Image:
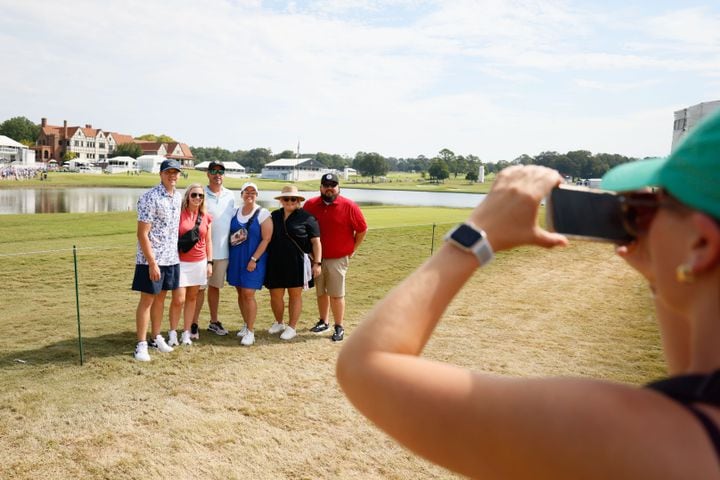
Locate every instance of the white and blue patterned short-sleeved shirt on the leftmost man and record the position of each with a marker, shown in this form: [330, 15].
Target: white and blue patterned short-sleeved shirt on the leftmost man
[162, 211]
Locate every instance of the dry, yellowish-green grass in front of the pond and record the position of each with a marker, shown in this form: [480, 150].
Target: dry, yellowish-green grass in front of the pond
[220, 411]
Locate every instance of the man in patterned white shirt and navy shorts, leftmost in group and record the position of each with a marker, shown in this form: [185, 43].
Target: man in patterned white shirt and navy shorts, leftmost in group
[157, 264]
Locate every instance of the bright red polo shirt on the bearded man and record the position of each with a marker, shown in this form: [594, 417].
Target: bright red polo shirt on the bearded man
[339, 223]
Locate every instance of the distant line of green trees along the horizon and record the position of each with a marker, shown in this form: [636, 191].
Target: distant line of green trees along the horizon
[575, 164]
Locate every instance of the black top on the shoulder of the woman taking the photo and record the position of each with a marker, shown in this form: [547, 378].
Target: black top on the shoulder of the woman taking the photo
[690, 389]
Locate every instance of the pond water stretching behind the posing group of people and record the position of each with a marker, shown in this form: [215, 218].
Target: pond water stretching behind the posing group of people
[85, 200]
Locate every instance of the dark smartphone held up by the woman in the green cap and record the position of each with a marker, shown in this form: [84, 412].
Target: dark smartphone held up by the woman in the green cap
[587, 214]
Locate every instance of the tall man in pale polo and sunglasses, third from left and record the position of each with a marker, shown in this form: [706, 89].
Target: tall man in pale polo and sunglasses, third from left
[220, 203]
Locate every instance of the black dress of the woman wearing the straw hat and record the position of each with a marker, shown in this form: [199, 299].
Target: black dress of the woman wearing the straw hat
[285, 260]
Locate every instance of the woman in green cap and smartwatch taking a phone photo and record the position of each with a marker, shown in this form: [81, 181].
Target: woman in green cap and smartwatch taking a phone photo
[488, 426]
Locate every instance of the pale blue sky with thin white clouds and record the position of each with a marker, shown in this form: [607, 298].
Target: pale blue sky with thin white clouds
[492, 78]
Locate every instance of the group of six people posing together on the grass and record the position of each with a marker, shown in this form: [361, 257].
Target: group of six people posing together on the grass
[192, 245]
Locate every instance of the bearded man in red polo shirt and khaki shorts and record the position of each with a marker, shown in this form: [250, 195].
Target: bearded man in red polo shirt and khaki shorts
[342, 230]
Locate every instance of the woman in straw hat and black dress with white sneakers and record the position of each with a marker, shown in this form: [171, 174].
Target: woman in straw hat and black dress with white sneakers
[295, 257]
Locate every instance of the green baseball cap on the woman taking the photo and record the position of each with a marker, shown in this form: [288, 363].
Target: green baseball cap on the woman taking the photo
[691, 173]
